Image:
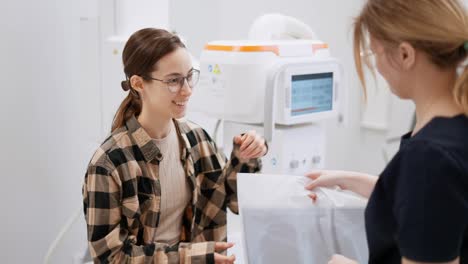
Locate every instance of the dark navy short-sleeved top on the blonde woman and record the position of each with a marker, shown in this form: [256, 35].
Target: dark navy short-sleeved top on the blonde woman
[419, 207]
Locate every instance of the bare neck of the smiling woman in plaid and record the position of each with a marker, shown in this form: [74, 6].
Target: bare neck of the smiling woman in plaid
[156, 127]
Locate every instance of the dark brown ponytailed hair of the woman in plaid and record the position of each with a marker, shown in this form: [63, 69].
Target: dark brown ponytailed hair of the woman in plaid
[142, 51]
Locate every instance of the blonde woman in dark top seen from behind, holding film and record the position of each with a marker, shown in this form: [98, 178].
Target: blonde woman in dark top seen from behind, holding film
[418, 207]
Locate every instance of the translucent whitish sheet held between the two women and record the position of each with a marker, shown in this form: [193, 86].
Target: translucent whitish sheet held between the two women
[281, 224]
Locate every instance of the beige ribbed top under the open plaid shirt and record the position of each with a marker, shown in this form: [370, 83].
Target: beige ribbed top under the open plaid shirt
[175, 192]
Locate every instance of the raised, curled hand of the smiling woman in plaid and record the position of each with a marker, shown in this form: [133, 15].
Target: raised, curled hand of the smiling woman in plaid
[252, 146]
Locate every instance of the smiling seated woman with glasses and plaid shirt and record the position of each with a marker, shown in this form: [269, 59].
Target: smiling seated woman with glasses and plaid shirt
[157, 189]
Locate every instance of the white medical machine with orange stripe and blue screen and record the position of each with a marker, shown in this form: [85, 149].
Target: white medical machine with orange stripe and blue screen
[280, 88]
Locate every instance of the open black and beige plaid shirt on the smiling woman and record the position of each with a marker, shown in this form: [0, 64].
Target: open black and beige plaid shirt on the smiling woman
[122, 195]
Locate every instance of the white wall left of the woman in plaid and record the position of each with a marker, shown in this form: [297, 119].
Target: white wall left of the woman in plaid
[44, 120]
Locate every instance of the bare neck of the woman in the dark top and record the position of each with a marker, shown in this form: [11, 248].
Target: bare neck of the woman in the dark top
[433, 97]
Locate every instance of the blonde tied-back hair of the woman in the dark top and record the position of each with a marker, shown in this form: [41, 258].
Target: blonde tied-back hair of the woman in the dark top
[437, 27]
